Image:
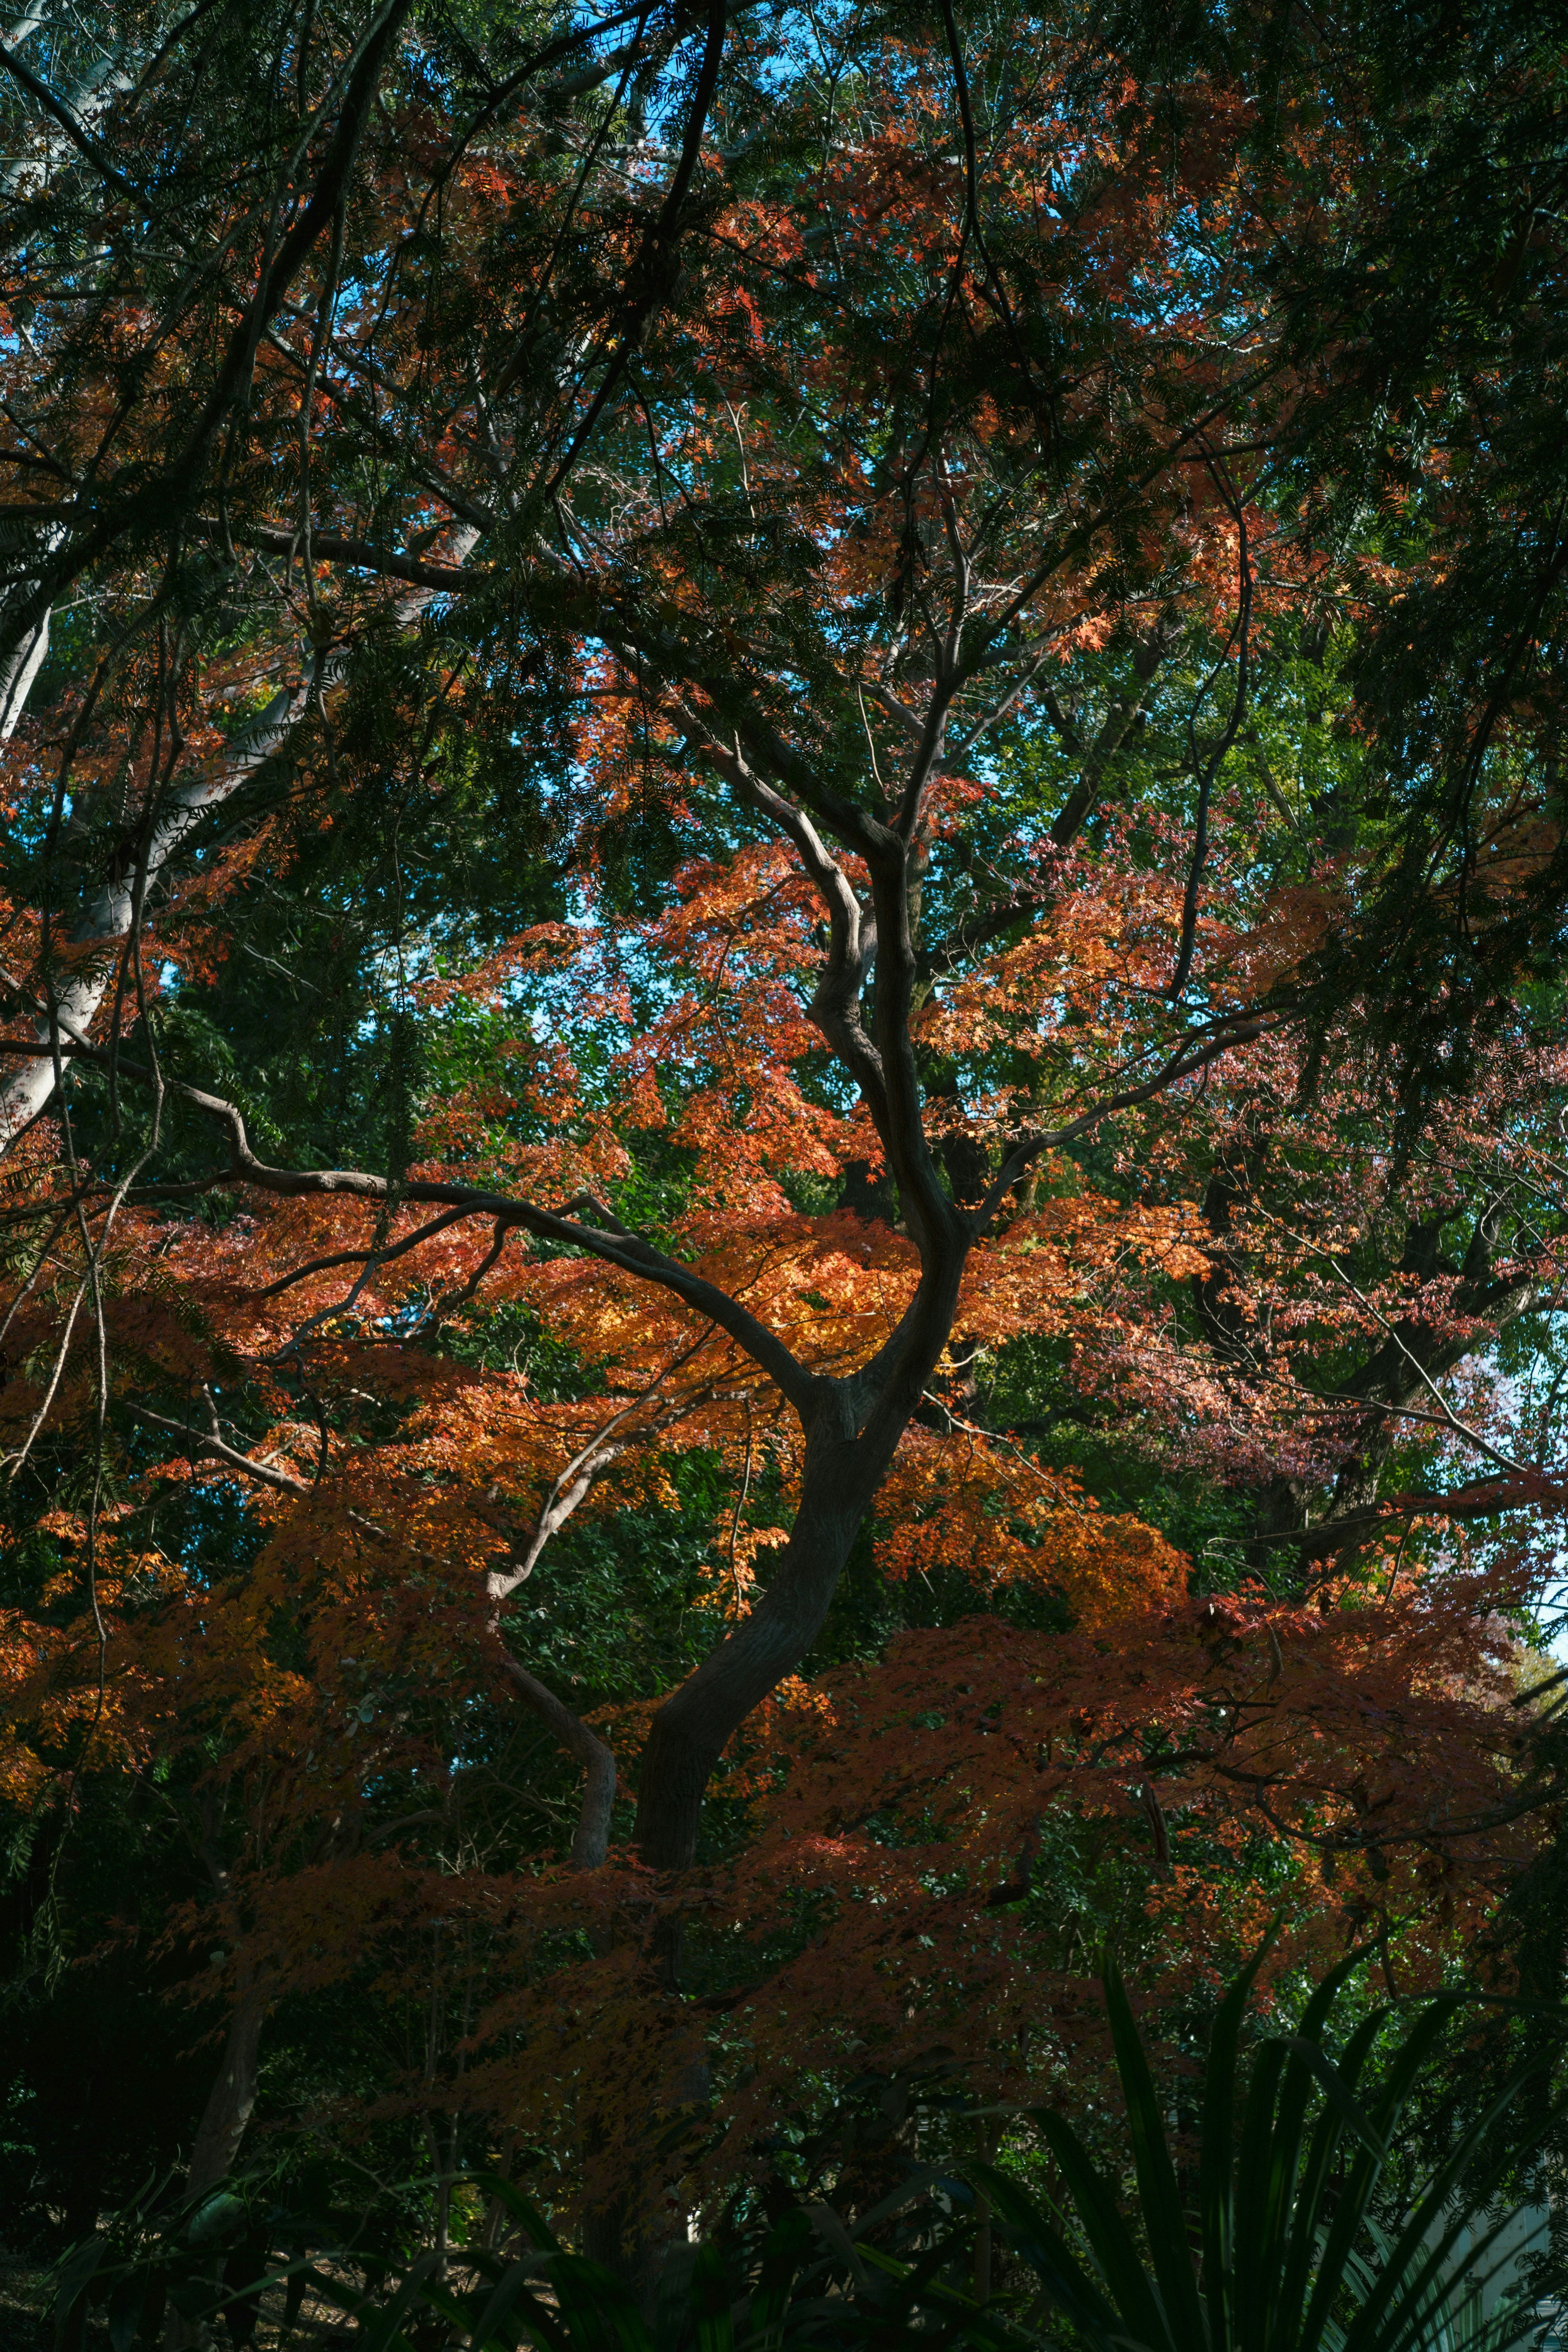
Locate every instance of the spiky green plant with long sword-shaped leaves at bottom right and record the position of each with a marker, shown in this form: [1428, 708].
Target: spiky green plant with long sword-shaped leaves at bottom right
[1287, 2224]
